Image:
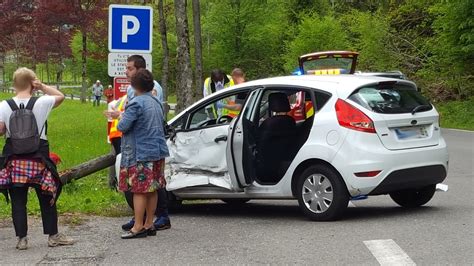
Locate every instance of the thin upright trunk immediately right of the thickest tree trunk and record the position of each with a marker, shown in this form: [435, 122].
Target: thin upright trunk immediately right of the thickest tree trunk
[197, 48]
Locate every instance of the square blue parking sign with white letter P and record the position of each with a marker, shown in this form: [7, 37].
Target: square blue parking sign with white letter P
[130, 28]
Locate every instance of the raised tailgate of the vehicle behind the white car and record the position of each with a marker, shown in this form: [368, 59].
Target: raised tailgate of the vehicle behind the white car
[328, 63]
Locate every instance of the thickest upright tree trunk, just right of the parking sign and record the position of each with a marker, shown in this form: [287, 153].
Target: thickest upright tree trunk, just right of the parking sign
[184, 75]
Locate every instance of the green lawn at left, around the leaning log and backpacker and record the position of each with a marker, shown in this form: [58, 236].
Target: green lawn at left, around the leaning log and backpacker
[77, 133]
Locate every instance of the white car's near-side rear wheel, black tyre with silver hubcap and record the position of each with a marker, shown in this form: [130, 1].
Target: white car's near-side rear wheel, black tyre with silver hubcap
[322, 195]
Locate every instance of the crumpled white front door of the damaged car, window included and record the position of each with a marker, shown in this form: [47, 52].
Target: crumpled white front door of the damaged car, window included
[198, 149]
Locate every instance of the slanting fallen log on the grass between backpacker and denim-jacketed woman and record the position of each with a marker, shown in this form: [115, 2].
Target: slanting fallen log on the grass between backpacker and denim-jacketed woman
[87, 168]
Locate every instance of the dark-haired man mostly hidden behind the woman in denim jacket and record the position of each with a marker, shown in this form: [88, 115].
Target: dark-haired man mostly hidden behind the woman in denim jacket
[134, 63]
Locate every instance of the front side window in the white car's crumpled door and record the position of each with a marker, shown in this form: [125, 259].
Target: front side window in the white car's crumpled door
[219, 111]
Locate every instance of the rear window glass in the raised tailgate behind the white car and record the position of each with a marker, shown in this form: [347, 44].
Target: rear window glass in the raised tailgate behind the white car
[328, 63]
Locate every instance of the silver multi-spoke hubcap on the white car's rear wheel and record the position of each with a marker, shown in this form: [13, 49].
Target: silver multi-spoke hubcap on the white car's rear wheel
[317, 193]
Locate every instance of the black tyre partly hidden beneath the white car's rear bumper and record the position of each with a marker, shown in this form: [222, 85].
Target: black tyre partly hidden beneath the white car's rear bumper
[412, 198]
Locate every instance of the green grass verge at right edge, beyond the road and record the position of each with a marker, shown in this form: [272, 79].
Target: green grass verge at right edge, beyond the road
[457, 114]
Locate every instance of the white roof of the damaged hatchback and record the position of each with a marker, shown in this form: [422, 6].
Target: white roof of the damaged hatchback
[341, 85]
